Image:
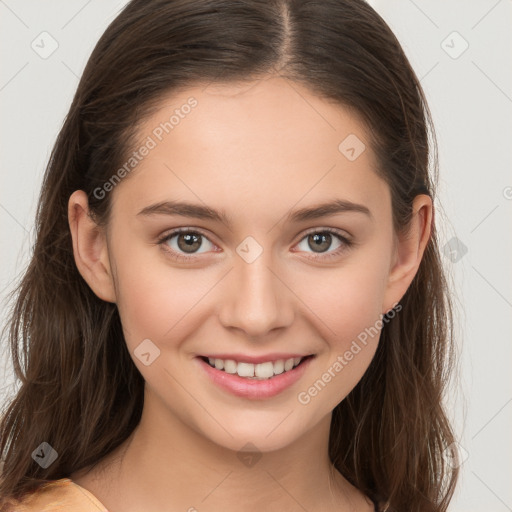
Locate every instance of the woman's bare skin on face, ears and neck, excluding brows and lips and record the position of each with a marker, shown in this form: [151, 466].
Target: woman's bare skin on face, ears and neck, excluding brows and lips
[259, 152]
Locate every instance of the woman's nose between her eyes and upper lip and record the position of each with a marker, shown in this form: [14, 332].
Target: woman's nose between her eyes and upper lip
[257, 300]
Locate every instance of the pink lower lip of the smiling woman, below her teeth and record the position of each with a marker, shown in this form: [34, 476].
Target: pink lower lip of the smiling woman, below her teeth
[253, 388]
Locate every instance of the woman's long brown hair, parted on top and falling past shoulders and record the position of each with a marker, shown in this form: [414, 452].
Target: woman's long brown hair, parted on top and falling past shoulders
[80, 390]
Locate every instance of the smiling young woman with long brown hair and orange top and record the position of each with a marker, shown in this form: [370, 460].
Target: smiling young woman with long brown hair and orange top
[236, 237]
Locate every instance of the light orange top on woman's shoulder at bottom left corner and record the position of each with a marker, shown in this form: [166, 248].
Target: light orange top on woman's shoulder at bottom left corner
[61, 495]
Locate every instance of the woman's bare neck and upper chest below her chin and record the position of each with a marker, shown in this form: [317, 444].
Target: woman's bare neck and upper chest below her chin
[166, 464]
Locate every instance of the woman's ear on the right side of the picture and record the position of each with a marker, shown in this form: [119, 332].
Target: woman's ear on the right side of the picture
[409, 249]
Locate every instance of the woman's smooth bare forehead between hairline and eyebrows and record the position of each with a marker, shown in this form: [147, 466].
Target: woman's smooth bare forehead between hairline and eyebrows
[258, 146]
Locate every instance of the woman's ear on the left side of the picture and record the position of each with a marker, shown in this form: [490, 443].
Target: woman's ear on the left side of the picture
[90, 247]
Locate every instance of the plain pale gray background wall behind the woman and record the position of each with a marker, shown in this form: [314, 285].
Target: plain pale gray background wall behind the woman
[470, 94]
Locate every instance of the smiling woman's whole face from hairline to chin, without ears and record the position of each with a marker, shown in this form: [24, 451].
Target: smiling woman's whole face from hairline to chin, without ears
[259, 272]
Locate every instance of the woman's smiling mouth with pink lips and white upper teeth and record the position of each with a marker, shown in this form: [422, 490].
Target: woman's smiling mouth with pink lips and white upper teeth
[255, 381]
